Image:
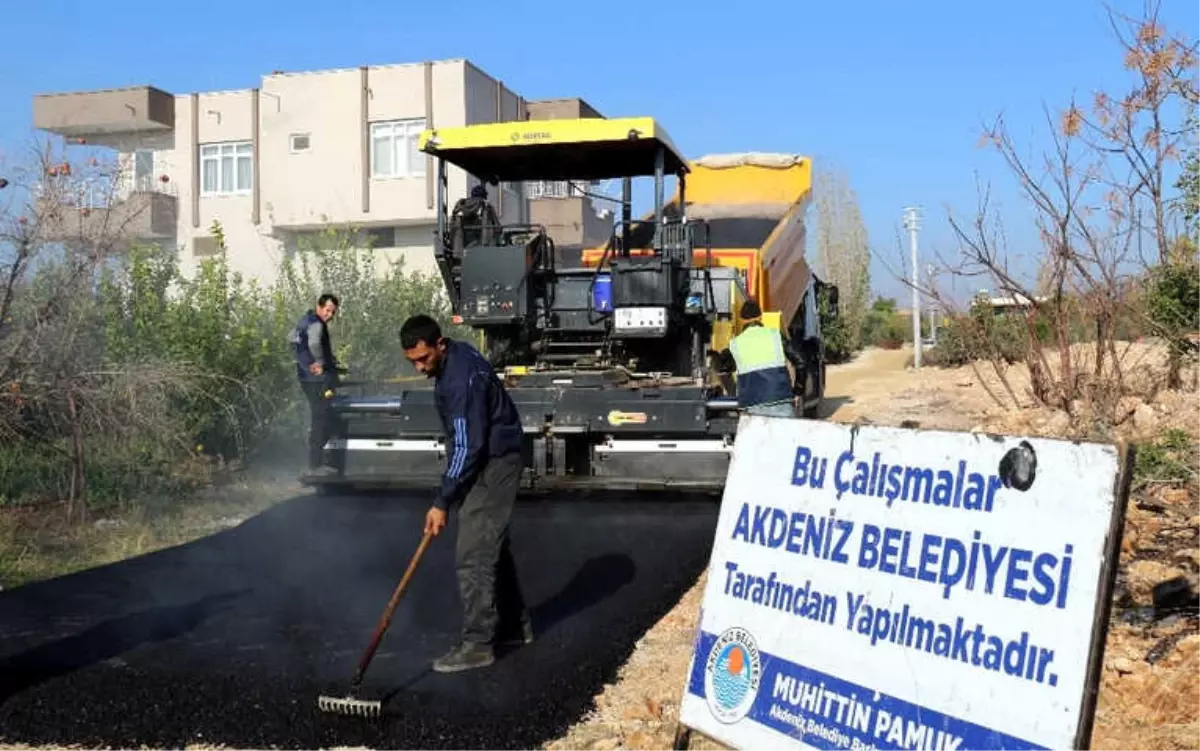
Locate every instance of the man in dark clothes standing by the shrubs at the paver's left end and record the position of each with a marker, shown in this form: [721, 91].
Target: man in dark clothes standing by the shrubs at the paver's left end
[317, 371]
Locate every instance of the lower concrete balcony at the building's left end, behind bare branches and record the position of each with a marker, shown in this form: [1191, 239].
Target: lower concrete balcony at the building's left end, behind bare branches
[143, 215]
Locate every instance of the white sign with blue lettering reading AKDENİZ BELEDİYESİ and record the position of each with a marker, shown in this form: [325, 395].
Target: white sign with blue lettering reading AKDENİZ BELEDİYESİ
[879, 588]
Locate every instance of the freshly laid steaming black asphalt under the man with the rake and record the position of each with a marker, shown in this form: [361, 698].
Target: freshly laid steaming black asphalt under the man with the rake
[230, 640]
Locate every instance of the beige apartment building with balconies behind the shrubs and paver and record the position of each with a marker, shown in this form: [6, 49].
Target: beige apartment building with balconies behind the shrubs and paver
[297, 154]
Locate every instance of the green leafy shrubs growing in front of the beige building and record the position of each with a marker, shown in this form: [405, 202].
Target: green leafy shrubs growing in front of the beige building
[187, 376]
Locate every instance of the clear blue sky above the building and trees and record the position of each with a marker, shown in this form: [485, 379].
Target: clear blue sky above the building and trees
[893, 97]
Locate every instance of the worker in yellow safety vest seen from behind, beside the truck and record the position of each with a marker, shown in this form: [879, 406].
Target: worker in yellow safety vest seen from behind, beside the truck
[761, 357]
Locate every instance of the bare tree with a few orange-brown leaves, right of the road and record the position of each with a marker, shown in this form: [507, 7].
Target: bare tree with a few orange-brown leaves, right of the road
[1105, 171]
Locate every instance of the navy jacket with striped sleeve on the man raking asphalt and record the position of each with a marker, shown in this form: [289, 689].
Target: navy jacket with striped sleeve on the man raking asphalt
[479, 418]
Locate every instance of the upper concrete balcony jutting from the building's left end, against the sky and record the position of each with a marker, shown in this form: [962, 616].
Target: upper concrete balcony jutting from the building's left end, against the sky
[104, 115]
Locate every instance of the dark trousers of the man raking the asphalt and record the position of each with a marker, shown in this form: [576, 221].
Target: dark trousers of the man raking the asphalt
[494, 606]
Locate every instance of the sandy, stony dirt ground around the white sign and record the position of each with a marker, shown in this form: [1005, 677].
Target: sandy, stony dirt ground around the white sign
[1150, 699]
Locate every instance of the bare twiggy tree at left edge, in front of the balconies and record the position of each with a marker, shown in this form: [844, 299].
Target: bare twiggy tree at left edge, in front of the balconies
[62, 224]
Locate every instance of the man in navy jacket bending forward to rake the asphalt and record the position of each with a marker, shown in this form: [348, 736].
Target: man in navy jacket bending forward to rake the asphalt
[483, 476]
